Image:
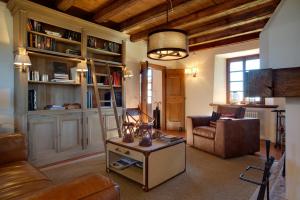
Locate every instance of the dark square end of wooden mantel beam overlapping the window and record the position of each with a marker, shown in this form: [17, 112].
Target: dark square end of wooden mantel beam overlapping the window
[258, 83]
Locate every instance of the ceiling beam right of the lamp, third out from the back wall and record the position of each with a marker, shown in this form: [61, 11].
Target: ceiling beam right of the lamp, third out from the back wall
[236, 19]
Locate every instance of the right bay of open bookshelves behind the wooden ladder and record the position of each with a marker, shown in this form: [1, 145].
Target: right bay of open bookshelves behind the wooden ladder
[105, 53]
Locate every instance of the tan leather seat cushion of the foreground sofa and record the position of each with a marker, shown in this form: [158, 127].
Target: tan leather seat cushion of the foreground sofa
[19, 178]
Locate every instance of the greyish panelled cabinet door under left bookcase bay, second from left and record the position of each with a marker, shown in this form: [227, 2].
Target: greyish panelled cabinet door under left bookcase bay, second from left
[70, 135]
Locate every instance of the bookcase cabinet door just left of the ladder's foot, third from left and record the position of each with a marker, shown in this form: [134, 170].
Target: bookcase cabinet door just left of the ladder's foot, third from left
[94, 134]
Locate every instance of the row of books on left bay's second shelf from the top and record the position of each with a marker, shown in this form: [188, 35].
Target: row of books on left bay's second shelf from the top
[41, 42]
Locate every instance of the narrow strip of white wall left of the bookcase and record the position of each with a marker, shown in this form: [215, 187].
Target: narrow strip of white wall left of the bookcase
[6, 70]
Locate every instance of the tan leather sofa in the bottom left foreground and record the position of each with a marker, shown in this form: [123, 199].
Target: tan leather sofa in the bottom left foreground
[20, 180]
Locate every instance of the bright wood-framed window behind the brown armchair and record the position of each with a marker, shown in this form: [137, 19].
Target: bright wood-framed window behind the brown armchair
[236, 67]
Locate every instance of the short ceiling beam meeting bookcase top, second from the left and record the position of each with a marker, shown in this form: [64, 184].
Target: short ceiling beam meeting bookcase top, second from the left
[103, 14]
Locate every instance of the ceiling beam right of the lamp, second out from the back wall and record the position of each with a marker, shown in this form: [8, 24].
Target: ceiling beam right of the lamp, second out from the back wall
[229, 33]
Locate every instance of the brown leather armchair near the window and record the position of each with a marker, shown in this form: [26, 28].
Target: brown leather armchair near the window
[231, 137]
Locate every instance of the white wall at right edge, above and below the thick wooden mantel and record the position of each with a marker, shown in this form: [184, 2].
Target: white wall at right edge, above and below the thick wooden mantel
[280, 48]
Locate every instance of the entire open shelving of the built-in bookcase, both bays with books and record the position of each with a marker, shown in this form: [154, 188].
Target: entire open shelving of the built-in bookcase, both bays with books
[52, 78]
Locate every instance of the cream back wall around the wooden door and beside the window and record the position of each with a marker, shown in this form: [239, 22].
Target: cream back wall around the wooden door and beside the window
[200, 91]
